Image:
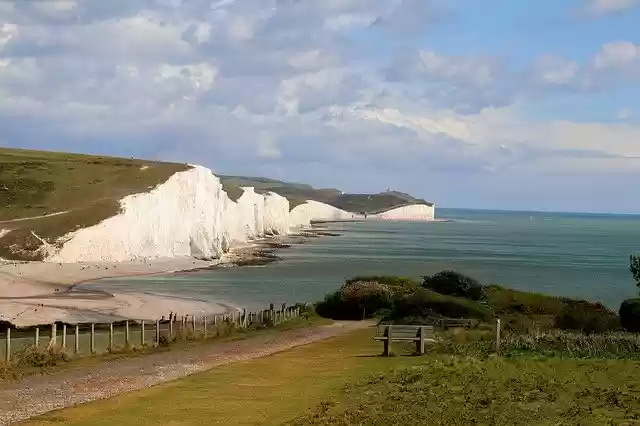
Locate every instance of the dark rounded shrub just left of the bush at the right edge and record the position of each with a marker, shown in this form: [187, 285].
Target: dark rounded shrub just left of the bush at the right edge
[587, 317]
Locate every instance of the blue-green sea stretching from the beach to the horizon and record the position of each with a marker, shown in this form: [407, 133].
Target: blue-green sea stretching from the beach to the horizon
[566, 254]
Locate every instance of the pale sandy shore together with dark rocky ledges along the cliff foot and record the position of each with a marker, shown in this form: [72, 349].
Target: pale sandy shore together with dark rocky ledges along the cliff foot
[38, 293]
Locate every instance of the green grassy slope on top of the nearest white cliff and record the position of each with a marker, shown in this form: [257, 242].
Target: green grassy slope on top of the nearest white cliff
[36, 183]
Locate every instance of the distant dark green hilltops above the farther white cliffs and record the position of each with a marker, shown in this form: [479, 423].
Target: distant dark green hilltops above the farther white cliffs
[298, 193]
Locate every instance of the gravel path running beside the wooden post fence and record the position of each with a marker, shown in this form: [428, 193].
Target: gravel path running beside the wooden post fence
[36, 395]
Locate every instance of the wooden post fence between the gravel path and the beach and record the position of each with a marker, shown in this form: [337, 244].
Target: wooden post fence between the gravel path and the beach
[96, 338]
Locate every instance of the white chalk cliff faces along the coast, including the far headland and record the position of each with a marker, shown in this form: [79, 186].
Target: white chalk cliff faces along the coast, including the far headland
[191, 215]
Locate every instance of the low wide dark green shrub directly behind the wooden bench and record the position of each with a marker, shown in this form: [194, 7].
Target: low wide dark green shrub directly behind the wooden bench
[427, 303]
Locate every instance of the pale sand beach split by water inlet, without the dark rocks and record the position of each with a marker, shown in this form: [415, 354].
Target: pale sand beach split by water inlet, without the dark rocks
[40, 293]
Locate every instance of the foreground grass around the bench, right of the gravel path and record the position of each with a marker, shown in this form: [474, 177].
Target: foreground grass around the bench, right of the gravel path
[342, 381]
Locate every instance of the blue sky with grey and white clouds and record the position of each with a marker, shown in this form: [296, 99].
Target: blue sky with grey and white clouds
[495, 104]
